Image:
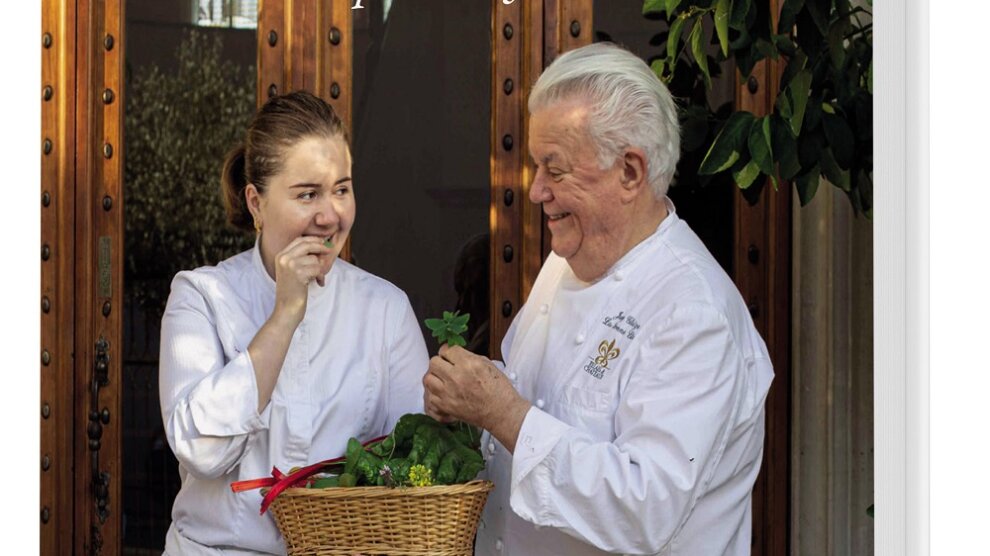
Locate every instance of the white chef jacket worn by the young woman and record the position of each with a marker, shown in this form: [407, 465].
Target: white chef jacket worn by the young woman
[354, 366]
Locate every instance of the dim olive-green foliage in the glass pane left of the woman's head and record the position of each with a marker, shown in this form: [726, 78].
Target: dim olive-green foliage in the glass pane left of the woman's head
[179, 125]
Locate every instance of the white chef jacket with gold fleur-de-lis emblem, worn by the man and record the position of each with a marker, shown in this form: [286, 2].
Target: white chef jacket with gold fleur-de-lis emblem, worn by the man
[646, 433]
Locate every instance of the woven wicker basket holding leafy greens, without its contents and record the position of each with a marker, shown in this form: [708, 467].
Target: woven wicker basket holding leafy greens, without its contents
[434, 520]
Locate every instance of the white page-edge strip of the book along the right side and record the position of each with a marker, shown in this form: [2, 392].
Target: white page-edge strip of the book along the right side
[901, 279]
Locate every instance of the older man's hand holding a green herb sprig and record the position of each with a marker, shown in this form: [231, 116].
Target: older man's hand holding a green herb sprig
[462, 386]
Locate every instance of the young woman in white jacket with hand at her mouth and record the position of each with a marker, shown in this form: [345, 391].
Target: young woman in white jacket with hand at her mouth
[277, 355]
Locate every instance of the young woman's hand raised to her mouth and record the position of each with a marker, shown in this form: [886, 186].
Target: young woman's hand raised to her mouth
[305, 259]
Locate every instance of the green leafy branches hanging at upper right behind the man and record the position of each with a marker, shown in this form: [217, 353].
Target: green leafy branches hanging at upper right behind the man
[821, 125]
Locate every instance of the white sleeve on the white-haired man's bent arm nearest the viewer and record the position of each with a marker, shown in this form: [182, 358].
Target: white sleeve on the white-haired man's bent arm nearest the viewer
[672, 422]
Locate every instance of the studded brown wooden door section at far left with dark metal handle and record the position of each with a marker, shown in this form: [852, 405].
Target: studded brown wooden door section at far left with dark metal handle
[81, 276]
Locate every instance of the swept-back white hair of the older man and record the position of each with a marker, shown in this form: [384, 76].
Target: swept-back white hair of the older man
[630, 106]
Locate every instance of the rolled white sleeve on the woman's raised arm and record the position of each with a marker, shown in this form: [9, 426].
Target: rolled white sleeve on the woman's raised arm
[209, 404]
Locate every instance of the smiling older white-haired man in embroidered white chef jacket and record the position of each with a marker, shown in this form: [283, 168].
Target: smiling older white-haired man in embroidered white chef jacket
[628, 416]
